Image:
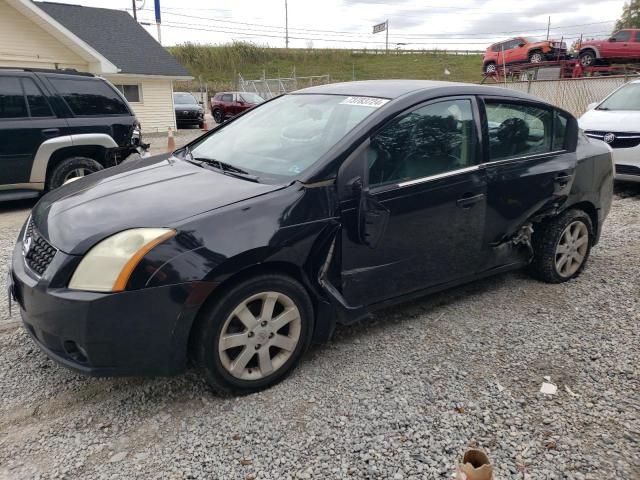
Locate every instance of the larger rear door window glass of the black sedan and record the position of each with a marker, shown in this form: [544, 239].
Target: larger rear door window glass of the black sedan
[518, 130]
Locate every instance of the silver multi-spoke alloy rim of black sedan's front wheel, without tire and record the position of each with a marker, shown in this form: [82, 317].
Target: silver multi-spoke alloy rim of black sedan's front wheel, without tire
[259, 336]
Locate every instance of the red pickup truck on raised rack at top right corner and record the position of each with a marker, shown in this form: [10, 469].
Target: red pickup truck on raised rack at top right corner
[622, 46]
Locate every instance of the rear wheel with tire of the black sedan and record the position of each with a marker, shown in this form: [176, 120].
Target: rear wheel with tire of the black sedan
[561, 246]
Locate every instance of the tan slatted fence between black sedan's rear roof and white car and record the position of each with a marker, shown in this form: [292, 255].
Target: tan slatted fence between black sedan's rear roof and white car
[573, 95]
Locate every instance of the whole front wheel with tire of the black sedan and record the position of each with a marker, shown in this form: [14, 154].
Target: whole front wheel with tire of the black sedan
[254, 335]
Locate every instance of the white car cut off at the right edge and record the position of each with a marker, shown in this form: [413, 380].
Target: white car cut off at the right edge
[616, 121]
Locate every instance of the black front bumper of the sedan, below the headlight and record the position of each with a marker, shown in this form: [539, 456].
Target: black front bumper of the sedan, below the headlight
[141, 332]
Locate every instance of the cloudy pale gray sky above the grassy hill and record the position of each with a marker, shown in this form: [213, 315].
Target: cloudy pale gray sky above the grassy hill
[454, 24]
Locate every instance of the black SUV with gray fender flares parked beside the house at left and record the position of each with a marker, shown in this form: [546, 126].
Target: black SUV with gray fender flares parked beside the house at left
[58, 125]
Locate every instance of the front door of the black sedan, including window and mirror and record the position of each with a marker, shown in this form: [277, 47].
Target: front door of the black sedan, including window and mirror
[413, 204]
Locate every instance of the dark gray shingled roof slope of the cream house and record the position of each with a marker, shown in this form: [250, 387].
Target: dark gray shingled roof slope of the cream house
[118, 37]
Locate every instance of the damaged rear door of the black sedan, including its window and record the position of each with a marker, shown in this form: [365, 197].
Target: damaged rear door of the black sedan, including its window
[529, 166]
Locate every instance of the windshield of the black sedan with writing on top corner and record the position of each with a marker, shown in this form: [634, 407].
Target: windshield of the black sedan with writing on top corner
[282, 138]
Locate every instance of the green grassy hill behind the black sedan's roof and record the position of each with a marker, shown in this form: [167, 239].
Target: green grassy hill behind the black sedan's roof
[220, 65]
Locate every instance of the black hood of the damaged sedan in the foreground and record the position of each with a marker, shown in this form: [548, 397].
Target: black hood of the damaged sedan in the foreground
[150, 192]
